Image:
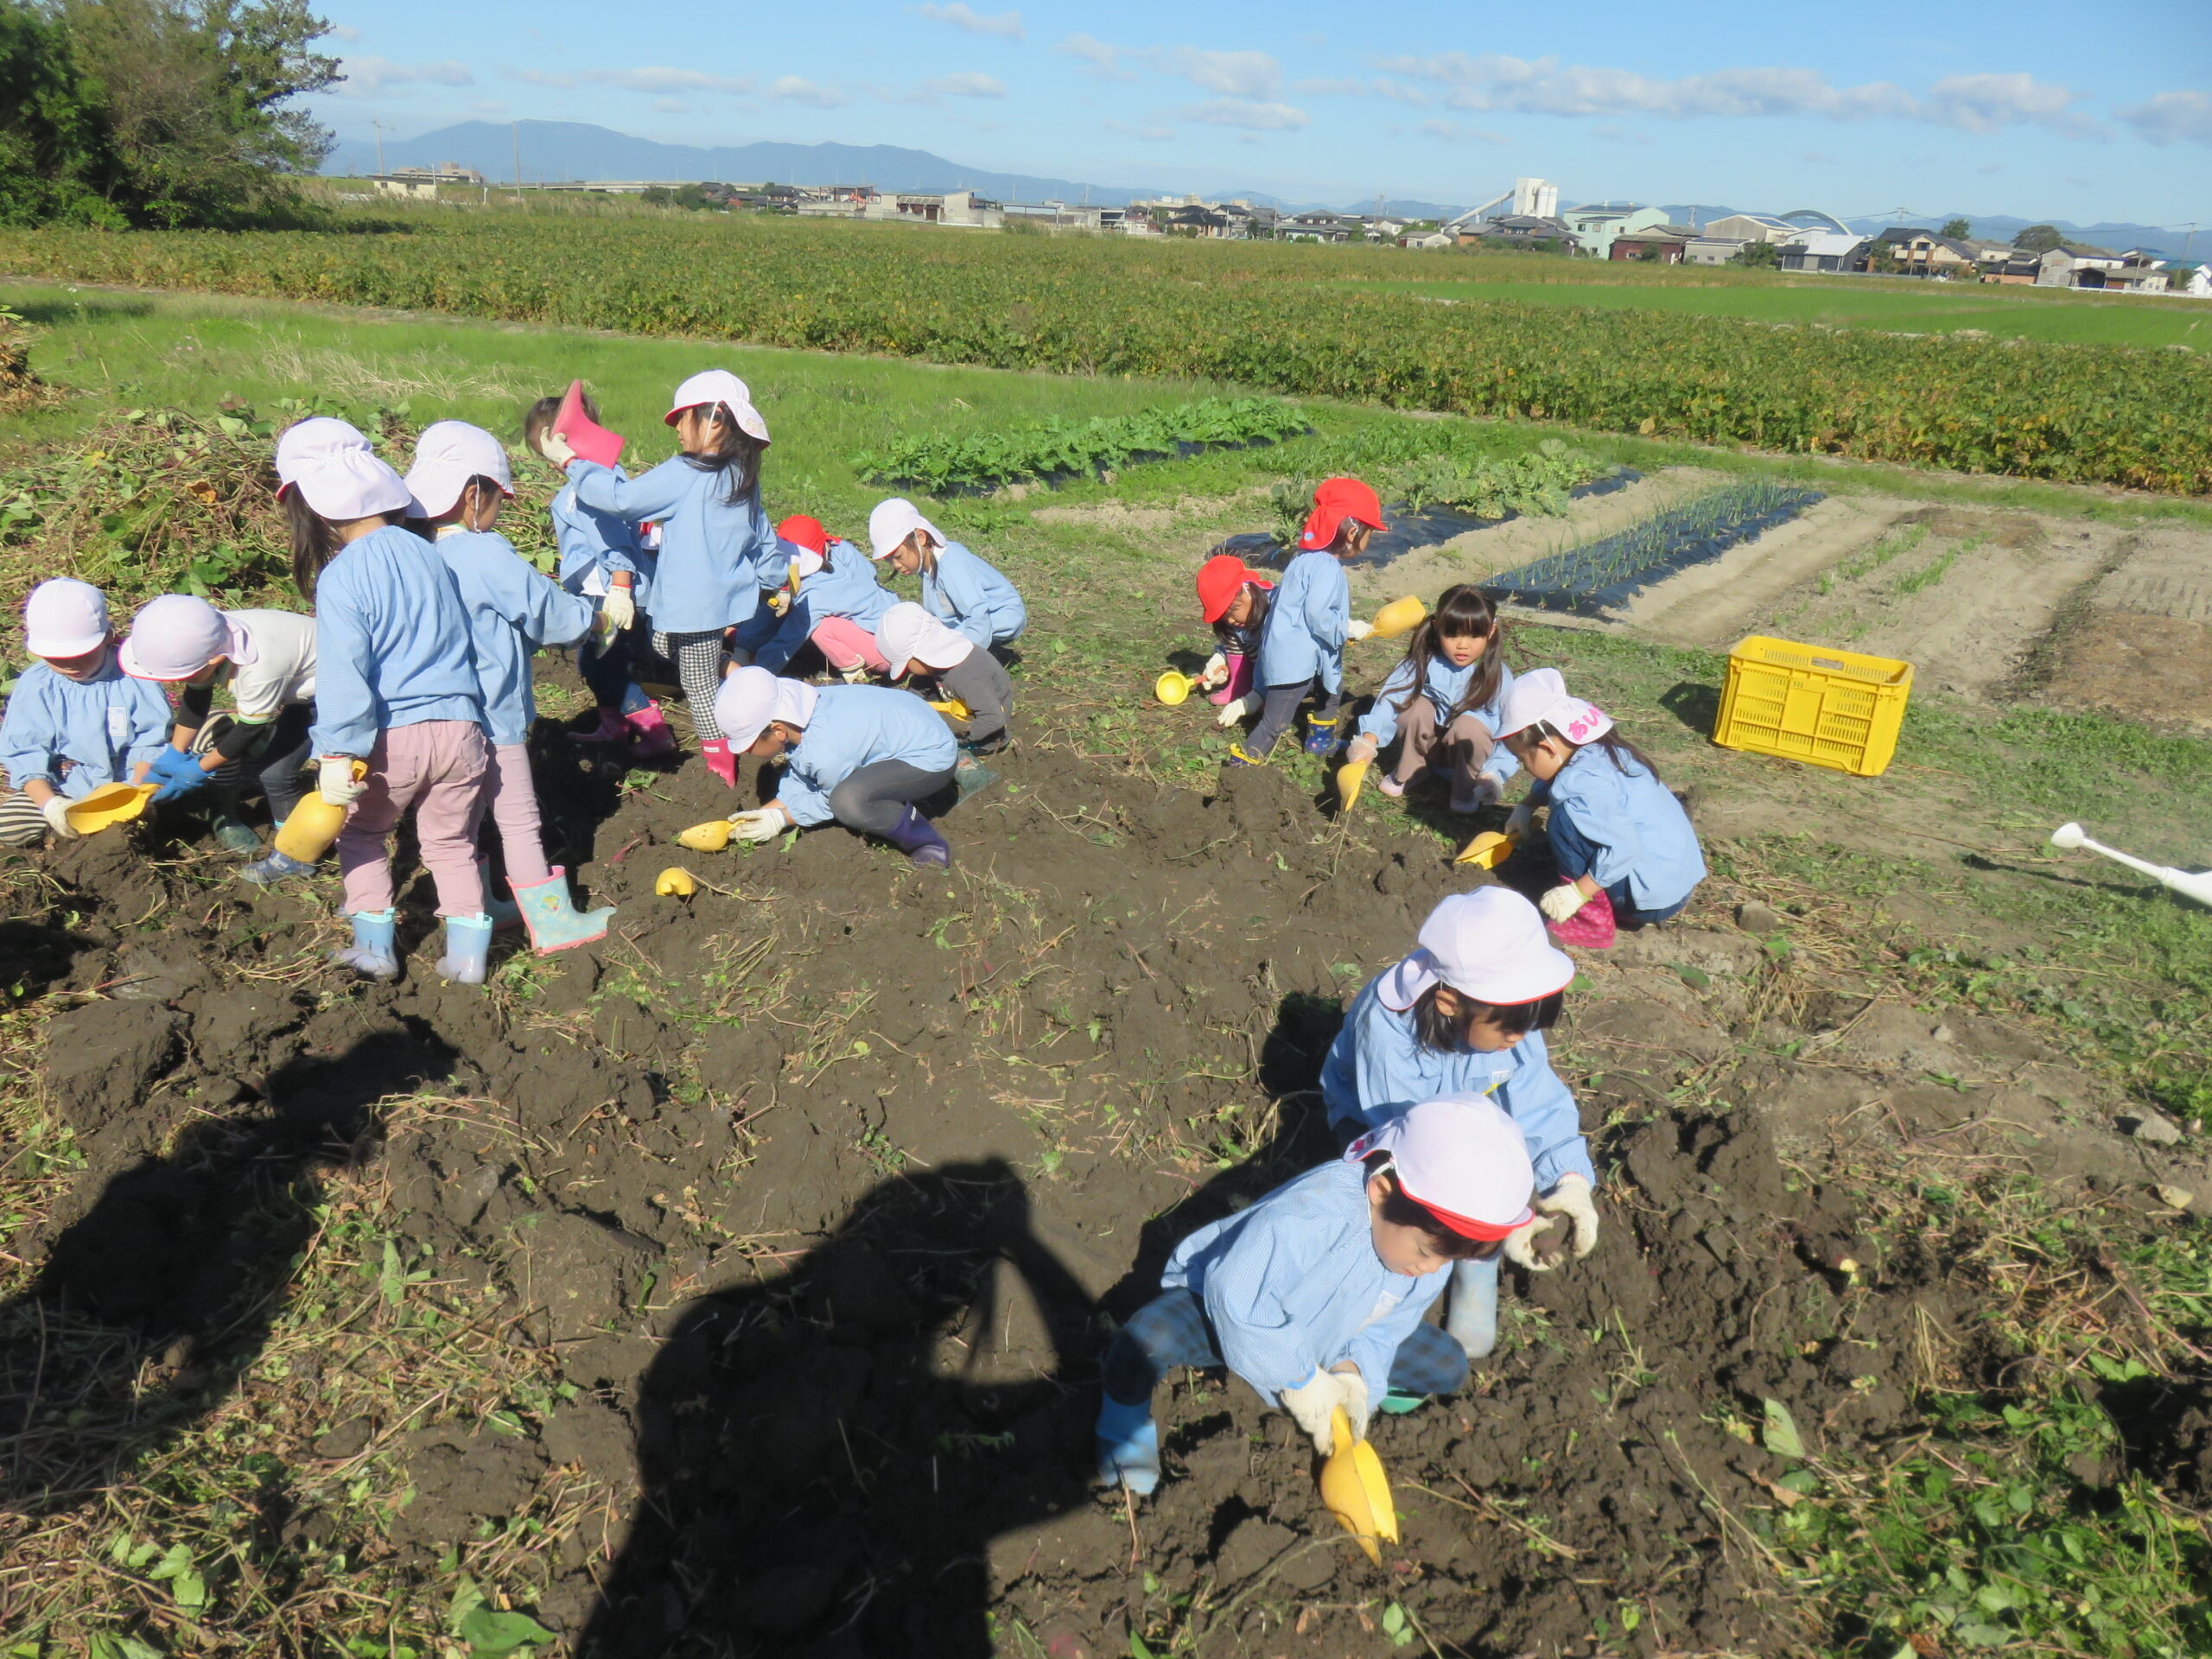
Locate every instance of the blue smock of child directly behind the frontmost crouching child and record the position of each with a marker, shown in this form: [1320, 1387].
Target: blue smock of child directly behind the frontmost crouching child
[1379, 1070]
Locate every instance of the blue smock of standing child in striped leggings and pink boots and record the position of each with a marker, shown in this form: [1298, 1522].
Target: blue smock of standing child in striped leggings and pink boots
[716, 556]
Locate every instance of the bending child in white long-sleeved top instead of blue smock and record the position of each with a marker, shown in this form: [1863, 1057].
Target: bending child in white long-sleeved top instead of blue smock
[269, 662]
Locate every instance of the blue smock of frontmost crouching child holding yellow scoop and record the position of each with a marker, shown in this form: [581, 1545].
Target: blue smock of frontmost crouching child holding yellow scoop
[1293, 1284]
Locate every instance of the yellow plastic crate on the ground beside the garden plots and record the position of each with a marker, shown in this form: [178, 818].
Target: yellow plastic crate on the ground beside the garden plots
[1813, 705]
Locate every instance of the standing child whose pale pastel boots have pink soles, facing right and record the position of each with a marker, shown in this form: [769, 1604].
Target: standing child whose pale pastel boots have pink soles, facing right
[461, 479]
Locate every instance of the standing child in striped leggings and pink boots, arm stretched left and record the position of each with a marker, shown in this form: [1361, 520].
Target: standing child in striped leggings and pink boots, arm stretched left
[718, 550]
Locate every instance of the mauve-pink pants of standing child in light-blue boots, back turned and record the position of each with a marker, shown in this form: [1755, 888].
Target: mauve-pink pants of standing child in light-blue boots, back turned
[439, 771]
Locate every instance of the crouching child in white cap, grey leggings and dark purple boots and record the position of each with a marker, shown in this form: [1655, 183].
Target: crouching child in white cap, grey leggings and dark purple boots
[859, 755]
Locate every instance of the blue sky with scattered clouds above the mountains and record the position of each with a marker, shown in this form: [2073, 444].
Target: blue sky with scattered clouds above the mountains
[2032, 107]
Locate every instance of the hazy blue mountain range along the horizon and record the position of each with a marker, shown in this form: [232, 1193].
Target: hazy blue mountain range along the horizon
[559, 152]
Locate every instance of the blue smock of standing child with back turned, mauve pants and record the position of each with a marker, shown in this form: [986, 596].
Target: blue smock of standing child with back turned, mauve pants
[390, 645]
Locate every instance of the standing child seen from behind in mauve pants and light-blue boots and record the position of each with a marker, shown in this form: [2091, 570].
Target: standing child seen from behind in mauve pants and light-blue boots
[395, 693]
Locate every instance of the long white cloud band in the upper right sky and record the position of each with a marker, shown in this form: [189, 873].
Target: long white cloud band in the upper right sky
[1550, 87]
